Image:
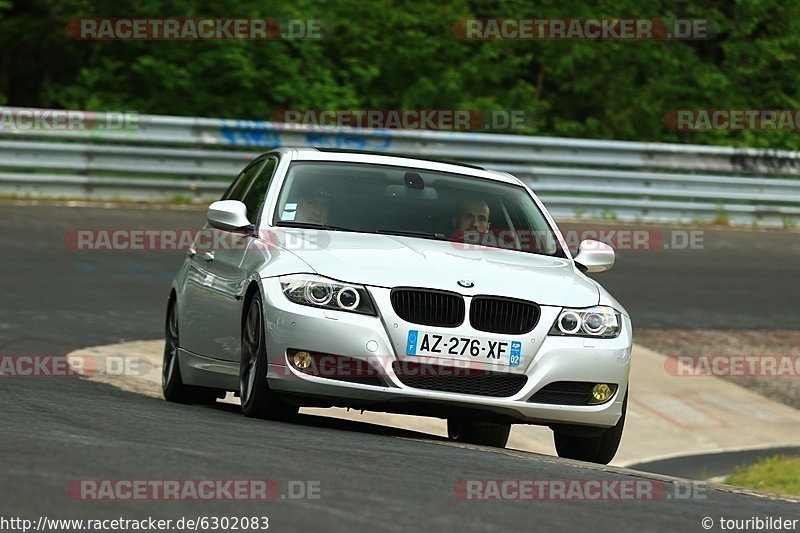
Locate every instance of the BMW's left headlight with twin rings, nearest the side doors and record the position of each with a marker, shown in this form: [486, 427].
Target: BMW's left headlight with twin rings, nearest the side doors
[316, 291]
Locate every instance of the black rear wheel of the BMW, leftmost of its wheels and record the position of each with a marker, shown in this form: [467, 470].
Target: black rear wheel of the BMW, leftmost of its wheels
[171, 382]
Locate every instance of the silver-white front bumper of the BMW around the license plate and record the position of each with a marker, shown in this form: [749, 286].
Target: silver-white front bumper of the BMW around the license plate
[381, 340]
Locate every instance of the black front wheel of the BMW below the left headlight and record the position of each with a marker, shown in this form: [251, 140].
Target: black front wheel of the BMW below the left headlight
[258, 400]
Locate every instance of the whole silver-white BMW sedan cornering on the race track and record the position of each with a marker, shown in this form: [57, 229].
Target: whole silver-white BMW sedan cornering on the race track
[397, 284]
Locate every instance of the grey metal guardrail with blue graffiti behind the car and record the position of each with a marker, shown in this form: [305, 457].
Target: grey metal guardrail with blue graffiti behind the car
[164, 157]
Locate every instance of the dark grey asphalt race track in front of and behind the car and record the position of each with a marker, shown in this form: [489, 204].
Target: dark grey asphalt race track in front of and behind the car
[53, 430]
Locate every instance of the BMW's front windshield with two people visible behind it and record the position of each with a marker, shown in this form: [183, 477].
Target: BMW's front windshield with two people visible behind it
[411, 202]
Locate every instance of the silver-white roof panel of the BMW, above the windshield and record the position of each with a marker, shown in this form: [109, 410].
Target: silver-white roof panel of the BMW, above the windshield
[379, 158]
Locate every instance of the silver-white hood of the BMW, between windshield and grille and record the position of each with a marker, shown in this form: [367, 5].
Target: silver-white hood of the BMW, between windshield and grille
[393, 261]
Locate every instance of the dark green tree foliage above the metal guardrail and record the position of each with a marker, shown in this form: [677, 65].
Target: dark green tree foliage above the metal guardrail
[394, 54]
